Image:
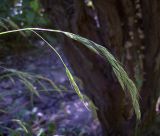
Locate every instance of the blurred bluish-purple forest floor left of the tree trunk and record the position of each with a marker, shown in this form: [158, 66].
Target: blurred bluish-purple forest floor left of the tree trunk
[52, 112]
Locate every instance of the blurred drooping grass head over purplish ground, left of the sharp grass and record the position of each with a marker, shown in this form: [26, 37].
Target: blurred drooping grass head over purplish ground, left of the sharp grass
[28, 80]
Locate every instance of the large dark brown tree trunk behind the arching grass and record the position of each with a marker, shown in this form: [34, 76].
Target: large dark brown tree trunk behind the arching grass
[119, 25]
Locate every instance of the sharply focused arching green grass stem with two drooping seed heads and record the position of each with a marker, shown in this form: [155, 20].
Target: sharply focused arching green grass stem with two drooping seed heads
[125, 82]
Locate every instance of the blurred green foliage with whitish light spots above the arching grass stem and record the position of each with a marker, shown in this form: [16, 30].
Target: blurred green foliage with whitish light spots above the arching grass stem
[23, 12]
